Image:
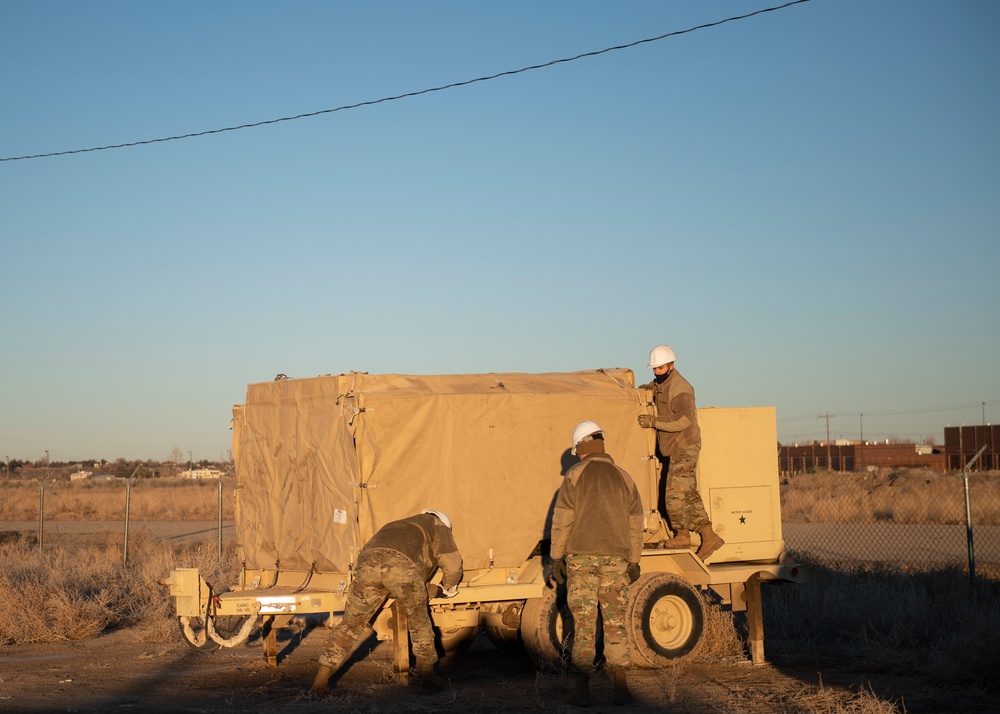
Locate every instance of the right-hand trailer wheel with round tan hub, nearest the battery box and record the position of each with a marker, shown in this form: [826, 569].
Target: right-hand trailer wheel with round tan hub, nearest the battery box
[666, 620]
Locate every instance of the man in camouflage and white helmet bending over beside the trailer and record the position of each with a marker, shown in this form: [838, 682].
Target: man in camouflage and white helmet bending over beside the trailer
[398, 561]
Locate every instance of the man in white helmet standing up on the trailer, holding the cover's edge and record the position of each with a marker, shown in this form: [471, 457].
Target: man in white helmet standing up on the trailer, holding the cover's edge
[678, 444]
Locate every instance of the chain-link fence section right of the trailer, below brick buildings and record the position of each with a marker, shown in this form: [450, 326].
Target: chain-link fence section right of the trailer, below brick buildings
[902, 518]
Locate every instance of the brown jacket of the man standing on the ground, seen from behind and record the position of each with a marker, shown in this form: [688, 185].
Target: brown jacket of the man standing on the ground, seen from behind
[598, 511]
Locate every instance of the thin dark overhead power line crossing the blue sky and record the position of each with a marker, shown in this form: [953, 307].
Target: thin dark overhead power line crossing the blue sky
[406, 95]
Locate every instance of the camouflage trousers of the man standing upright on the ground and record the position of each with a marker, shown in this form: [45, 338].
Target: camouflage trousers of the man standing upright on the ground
[592, 582]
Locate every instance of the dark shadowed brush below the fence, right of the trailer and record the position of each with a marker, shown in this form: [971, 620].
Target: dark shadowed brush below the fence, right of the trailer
[934, 624]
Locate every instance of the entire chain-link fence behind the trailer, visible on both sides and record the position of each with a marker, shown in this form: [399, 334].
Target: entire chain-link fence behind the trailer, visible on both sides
[903, 518]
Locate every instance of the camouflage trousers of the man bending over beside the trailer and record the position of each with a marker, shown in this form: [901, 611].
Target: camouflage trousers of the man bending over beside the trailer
[381, 573]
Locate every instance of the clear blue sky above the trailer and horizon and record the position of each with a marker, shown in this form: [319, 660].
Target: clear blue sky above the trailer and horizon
[805, 204]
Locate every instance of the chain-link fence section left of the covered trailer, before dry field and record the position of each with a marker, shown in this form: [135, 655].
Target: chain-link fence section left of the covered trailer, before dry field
[52, 513]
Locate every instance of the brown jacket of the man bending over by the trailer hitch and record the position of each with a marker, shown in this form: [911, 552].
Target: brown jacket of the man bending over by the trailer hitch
[427, 542]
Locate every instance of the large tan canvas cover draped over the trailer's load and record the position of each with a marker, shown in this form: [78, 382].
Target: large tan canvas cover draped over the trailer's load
[324, 462]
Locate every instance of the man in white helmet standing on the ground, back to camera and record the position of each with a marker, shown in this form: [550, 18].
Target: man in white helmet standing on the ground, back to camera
[595, 549]
